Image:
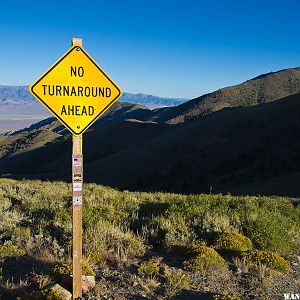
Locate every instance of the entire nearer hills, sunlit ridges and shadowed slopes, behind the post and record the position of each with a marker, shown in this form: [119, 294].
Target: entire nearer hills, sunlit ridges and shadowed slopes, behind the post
[243, 139]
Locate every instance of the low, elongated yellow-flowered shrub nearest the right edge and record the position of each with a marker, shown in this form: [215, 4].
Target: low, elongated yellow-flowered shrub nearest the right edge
[267, 258]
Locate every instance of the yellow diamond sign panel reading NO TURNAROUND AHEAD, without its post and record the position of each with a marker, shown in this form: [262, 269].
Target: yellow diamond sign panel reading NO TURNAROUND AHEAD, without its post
[76, 90]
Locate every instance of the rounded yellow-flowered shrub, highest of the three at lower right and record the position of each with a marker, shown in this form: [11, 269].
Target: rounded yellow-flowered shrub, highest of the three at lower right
[233, 241]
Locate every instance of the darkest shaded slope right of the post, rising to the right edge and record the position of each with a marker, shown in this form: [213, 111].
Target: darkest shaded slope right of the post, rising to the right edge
[227, 149]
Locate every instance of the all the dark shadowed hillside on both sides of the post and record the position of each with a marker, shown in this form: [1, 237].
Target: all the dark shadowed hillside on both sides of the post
[230, 151]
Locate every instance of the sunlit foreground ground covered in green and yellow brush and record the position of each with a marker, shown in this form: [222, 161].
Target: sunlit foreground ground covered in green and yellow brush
[149, 245]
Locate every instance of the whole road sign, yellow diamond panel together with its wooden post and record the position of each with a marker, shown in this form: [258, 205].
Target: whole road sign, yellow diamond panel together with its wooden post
[77, 92]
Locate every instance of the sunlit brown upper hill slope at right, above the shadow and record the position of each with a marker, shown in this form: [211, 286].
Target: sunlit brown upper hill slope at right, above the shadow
[262, 89]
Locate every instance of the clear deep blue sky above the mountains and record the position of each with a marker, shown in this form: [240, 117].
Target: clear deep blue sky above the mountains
[178, 48]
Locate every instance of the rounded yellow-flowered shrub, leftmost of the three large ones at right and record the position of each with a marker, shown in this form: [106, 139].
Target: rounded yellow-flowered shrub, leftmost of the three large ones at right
[205, 259]
